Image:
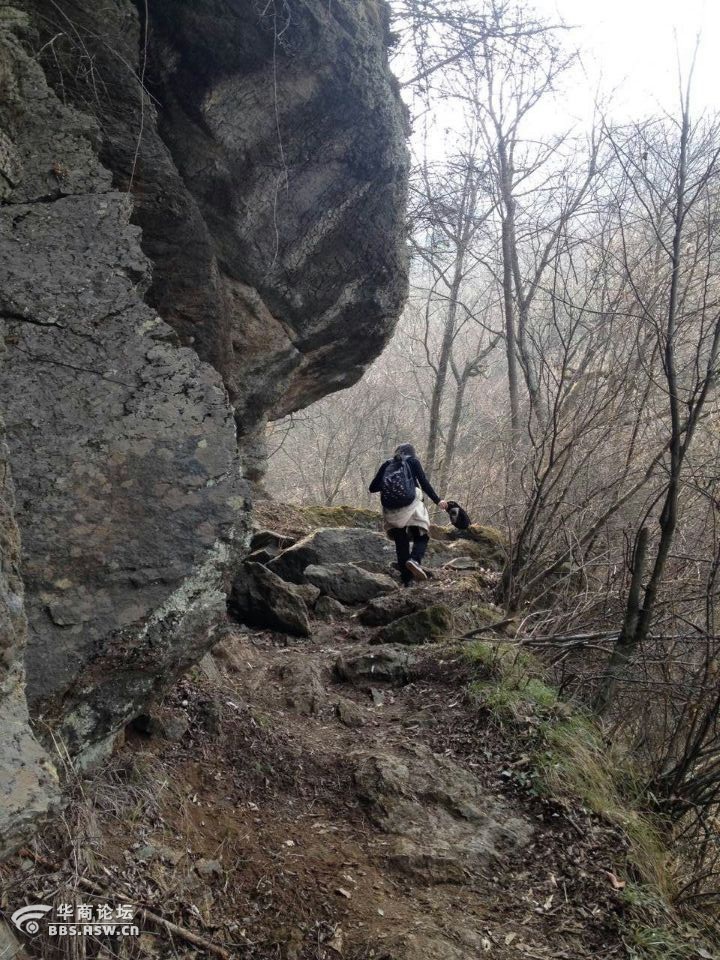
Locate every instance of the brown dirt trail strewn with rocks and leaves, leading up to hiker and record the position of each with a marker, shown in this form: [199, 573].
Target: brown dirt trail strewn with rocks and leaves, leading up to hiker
[331, 795]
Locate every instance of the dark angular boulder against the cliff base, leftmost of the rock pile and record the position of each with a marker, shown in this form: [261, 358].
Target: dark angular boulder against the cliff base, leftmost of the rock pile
[261, 599]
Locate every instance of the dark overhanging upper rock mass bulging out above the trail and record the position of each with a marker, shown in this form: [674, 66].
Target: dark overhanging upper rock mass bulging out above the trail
[269, 180]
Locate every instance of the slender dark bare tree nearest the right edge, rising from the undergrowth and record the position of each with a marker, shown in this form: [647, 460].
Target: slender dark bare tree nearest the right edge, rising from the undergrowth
[673, 171]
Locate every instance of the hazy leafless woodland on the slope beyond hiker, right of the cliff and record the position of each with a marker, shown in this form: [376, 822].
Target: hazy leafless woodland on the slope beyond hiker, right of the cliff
[556, 367]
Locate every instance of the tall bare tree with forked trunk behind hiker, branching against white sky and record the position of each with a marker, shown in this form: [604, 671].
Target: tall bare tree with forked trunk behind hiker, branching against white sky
[538, 187]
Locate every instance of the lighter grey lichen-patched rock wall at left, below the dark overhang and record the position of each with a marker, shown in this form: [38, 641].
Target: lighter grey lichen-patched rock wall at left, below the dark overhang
[122, 443]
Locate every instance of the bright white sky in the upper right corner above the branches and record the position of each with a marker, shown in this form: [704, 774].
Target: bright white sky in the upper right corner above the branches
[629, 47]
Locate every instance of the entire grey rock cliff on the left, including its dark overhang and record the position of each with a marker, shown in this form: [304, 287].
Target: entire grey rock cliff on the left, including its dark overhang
[200, 228]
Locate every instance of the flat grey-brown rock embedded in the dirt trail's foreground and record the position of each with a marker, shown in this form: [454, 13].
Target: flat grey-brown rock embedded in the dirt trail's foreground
[443, 823]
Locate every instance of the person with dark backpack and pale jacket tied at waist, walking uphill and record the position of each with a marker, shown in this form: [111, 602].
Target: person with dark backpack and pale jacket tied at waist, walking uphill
[401, 482]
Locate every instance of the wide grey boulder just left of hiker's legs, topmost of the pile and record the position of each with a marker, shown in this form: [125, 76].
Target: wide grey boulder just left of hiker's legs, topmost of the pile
[373, 551]
